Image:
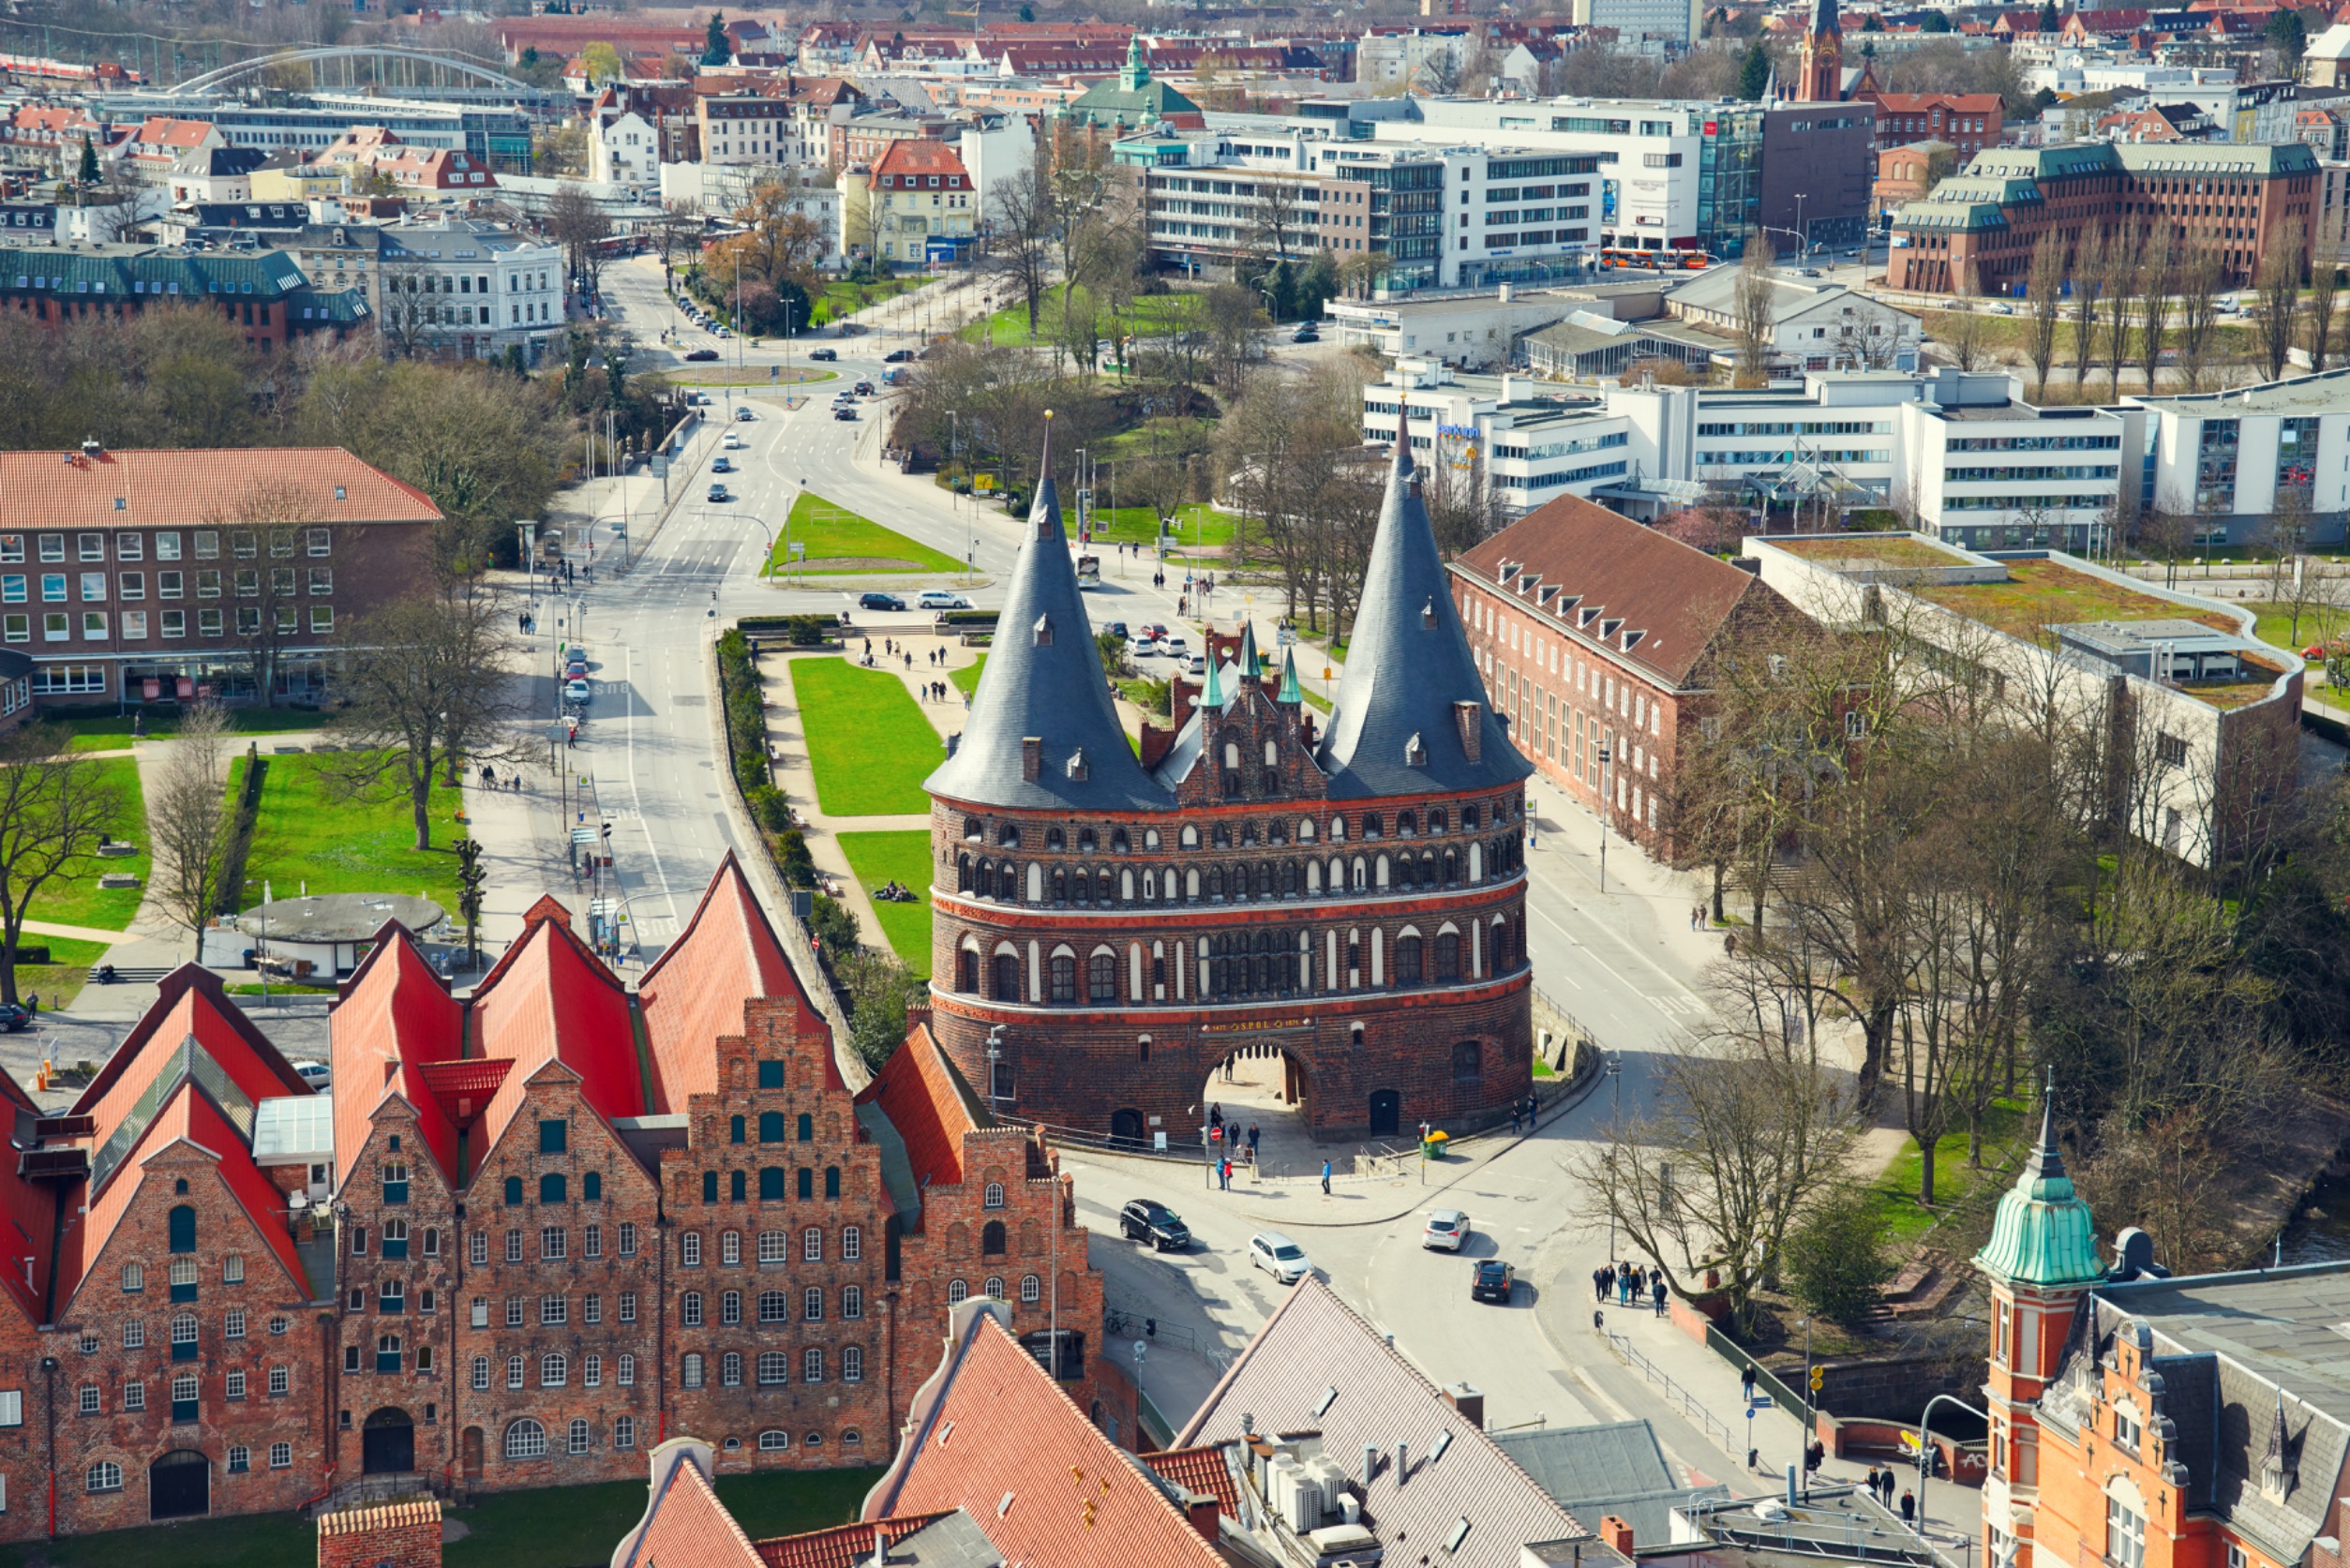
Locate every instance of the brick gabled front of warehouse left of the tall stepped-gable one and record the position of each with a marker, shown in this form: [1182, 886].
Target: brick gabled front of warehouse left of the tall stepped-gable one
[579, 1282]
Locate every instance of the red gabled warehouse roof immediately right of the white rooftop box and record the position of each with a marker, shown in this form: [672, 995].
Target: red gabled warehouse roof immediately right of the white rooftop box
[391, 1026]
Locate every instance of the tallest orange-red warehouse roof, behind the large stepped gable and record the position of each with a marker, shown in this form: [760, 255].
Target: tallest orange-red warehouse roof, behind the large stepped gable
[697, 991]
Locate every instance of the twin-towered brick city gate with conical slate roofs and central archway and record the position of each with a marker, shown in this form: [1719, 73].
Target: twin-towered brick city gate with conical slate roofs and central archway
[1108, 927]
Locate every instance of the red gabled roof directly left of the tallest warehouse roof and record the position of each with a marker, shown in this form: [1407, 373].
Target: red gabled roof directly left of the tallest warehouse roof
[553, 1000]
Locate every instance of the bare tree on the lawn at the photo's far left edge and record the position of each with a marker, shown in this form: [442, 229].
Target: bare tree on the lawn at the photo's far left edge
[55, 812]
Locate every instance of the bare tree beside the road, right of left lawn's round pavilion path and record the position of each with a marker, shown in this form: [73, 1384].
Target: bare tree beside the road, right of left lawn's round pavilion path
[427, 683]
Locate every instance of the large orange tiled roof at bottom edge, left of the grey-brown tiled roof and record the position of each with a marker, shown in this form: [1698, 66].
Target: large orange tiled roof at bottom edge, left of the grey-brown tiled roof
[1005, 1445]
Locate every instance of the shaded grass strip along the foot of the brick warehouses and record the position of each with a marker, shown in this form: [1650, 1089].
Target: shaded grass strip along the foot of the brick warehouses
[539, 1529]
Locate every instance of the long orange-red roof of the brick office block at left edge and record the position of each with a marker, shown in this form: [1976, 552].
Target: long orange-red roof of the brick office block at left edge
[199, 488]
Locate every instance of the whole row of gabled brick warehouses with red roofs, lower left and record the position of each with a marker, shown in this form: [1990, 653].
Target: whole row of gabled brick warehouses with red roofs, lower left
[535, 1233]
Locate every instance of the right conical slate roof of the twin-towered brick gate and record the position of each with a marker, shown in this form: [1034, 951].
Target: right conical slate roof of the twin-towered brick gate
[1395, 728]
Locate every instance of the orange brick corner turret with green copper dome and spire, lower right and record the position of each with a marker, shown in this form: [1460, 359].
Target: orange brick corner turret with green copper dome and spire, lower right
[2041, 1261]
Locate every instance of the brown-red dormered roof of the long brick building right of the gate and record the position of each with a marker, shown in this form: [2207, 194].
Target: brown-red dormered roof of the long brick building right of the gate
[1677, 598]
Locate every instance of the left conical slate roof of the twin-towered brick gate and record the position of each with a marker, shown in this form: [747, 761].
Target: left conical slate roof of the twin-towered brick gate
[1045, 681]
